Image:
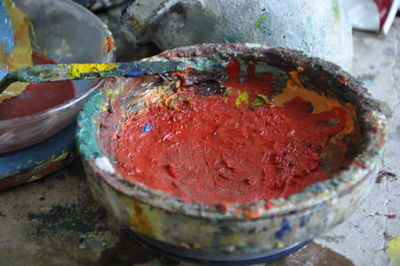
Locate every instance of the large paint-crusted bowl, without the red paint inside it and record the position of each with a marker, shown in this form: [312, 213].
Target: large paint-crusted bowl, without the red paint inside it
[240, 232]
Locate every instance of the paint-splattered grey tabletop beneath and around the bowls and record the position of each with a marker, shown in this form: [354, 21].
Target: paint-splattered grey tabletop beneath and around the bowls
[55, 221]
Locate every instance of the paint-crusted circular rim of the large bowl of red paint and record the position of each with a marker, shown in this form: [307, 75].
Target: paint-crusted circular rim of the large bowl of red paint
[311, 197]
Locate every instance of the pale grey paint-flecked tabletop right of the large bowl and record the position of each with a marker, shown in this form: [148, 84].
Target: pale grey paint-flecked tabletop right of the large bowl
[364, 238]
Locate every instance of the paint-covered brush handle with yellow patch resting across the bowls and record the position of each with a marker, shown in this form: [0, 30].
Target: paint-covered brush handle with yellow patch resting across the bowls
[61, 72]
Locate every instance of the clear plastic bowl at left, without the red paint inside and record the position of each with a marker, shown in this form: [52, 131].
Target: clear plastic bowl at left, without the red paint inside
[67, 33]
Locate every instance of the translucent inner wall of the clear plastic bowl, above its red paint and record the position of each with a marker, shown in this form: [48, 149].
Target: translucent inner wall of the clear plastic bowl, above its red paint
[67, 33]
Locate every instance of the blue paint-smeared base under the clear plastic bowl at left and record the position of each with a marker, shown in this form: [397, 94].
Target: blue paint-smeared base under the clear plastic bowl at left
[34, 162]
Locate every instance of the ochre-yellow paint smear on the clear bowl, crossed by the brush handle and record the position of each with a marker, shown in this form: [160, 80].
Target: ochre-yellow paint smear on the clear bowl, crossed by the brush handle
[22, 53]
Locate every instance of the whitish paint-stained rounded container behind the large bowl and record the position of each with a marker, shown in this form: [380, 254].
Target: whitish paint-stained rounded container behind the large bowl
[321, 30]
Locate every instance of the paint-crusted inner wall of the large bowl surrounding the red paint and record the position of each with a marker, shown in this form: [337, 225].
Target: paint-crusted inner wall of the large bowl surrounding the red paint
[322, 85]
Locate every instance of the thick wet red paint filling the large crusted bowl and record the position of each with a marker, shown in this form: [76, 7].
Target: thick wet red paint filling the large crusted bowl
[249, 137]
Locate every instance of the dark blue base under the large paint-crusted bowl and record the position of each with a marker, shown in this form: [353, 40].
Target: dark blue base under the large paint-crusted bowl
[202, 257]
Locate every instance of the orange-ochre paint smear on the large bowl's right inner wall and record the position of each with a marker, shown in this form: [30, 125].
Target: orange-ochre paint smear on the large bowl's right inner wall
[321, 103]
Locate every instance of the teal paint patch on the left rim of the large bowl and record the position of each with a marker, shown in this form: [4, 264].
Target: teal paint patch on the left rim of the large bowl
[87, 143]
